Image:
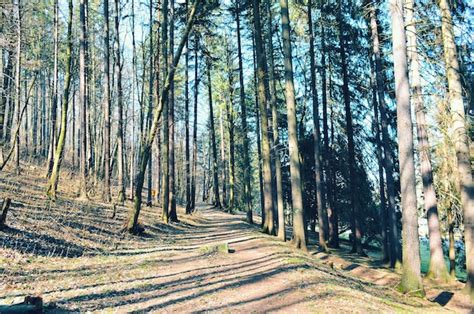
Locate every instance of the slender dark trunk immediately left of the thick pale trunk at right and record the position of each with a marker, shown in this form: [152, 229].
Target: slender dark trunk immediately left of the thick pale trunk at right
[395, 253]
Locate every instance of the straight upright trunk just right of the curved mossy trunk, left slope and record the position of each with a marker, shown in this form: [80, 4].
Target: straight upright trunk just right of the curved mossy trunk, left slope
[83, 96]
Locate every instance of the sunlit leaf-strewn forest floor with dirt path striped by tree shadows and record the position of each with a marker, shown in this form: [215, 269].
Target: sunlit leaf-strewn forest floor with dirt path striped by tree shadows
[74, 255]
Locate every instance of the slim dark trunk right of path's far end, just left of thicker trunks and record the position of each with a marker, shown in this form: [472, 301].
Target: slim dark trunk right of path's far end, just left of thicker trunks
[243, 115]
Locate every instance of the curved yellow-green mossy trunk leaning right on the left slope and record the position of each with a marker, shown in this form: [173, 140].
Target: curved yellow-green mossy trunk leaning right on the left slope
[59, 152]
